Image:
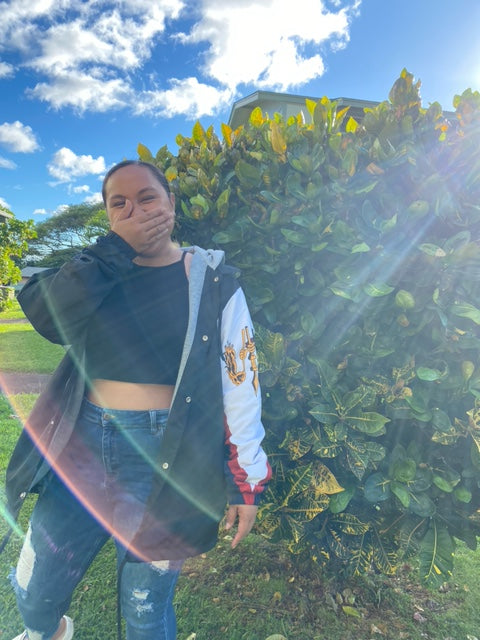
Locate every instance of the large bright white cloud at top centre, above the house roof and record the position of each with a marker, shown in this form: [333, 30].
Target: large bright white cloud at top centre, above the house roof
[265, 42]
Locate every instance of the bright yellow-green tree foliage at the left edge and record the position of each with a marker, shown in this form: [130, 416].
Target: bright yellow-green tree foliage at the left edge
[14, 236]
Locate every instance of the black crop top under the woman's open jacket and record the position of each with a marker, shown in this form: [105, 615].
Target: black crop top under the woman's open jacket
[137, 333]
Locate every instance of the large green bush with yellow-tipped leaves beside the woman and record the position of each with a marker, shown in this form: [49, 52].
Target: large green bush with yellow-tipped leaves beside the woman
[358, 245]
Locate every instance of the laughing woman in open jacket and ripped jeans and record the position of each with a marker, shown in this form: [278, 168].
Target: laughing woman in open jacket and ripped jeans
[150, 424]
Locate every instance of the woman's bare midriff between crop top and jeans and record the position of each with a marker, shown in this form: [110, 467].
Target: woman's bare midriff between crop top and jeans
[132, 396]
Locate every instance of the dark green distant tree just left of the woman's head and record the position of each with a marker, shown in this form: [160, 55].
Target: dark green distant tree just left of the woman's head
[61, 236]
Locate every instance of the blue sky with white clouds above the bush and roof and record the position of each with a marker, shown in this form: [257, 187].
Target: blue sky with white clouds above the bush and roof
[82, 83]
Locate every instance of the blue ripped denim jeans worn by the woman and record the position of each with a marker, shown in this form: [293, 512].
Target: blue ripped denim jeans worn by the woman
[100, 489]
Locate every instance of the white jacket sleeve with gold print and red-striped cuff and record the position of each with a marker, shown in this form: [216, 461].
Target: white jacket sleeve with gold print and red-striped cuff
[247, 469]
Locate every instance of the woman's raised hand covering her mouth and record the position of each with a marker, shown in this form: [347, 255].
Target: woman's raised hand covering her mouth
[142, 229]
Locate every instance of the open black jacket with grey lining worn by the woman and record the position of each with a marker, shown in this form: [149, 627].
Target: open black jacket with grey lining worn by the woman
[200, 464]
